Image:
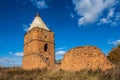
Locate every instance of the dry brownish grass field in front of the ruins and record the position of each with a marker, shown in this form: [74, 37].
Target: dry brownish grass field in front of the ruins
[20, 74]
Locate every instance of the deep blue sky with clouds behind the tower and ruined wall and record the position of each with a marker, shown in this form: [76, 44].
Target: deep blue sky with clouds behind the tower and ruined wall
[74, 22]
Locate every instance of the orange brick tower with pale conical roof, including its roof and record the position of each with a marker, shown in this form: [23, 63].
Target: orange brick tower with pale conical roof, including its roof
[38, 46]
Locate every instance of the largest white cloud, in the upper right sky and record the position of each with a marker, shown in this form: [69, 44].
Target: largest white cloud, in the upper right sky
[90, 10]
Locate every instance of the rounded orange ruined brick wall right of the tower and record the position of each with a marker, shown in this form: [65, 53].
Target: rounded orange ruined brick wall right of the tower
[86, 57]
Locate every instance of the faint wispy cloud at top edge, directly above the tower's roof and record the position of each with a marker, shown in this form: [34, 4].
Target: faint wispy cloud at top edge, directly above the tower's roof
[40, 4]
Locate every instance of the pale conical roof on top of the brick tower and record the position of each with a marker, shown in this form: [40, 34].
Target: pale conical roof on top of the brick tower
[37, 22]
